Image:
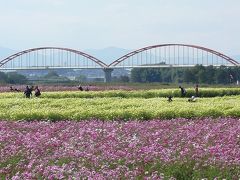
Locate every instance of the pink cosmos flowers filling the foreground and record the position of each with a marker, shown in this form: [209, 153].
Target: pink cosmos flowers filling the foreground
[96, 149]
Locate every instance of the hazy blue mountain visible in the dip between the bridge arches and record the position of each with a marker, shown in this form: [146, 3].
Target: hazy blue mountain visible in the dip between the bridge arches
[108, 55]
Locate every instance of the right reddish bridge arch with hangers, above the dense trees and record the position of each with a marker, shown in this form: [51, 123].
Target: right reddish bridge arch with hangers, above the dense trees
[178, 51]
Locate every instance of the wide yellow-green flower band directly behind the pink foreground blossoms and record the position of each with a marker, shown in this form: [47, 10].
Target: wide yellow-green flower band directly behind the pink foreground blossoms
[71, 106]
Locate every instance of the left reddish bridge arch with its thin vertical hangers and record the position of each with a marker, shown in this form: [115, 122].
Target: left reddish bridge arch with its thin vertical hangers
[49, 54]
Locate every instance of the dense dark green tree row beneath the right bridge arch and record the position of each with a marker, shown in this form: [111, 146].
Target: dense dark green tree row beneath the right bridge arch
[196, 74]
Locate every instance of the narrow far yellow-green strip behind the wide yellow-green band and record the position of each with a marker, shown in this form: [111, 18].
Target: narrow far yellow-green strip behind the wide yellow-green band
[204, 92]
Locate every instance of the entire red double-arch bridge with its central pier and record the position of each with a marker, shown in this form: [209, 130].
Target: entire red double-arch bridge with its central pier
[163, 55]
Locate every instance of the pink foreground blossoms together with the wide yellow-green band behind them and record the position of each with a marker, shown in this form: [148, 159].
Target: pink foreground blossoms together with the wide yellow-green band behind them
[138, 145]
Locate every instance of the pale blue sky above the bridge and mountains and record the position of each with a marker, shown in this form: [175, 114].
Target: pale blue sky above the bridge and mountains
[129, 24]
